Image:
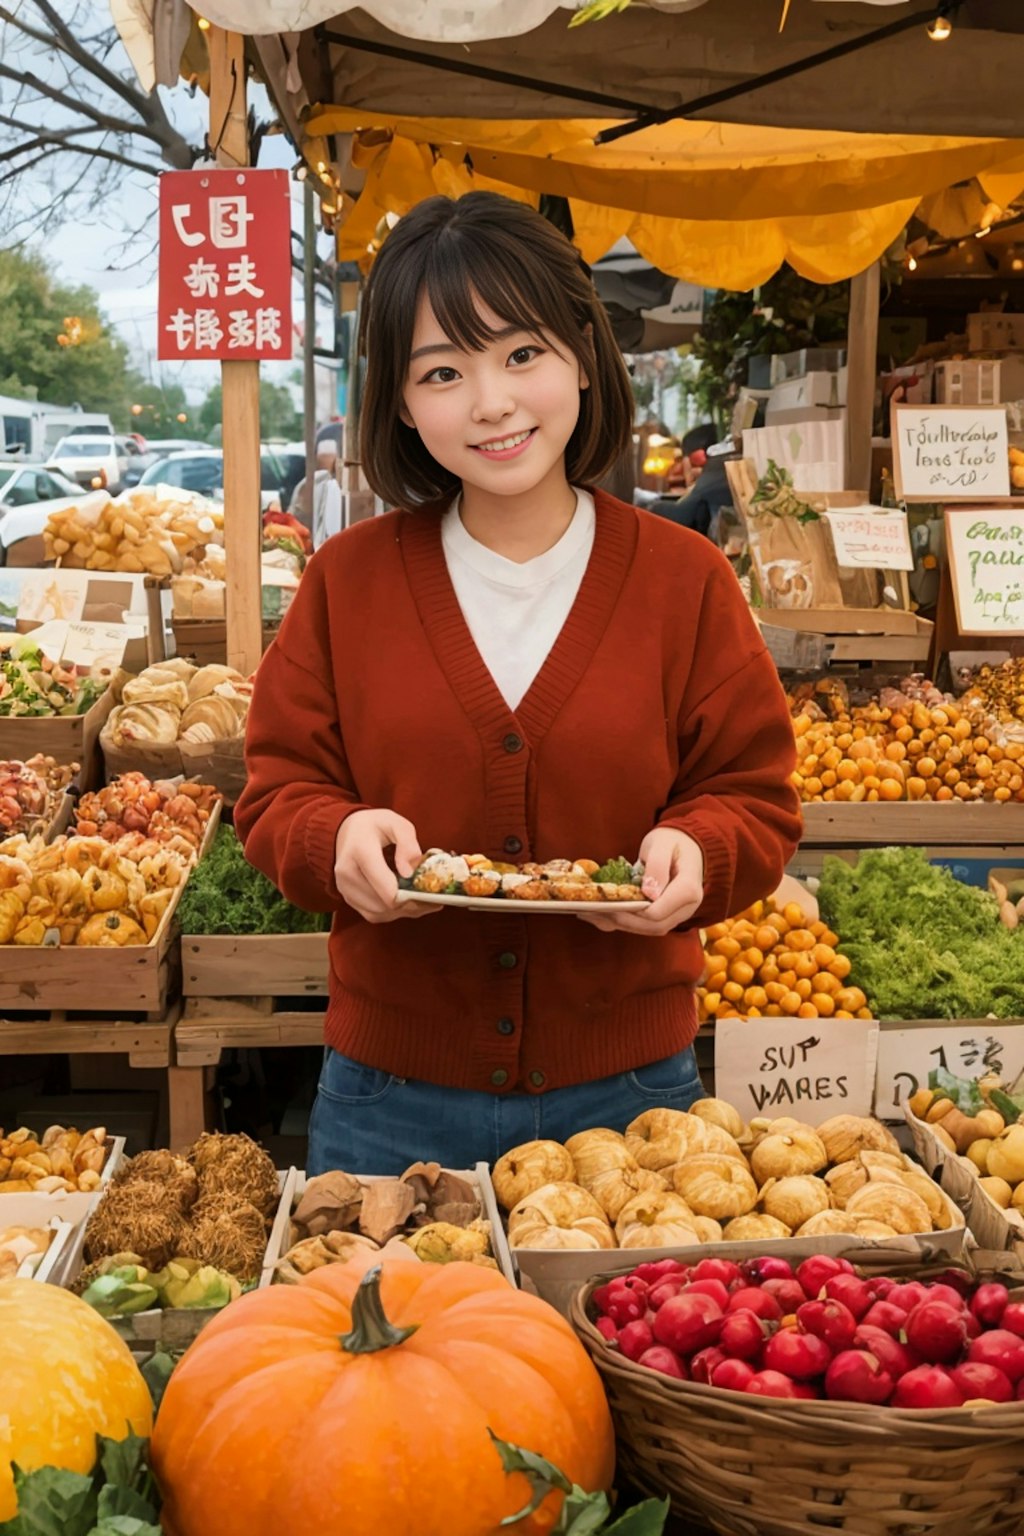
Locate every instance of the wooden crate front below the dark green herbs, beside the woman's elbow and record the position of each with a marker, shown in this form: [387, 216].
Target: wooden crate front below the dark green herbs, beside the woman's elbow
[254, 965]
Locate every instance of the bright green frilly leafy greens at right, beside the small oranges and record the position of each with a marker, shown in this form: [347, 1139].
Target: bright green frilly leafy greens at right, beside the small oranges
[922, 944]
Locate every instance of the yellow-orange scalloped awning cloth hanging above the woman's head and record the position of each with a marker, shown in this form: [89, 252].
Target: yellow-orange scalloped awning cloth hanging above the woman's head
[721, 205]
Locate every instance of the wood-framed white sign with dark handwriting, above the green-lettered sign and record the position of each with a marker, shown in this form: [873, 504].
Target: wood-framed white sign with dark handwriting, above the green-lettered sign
[951, 452]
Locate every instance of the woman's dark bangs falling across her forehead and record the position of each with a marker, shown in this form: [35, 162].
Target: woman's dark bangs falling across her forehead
[461, 274]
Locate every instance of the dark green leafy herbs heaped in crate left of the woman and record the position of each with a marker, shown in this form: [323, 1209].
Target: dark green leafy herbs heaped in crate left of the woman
[226, 896]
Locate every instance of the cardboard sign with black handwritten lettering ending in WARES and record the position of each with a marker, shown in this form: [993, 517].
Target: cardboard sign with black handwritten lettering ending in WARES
[808, 1068]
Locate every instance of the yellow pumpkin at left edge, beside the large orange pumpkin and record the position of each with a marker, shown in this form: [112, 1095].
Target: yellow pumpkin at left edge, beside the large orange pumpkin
[65, 1379]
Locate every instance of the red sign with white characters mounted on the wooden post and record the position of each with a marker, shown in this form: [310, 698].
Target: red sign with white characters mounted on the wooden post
[225, 265]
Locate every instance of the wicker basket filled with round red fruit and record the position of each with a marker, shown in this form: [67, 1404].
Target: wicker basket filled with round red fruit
[775, 1400]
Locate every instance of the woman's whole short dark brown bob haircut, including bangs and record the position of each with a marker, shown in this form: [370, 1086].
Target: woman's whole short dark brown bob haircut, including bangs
[492, 250]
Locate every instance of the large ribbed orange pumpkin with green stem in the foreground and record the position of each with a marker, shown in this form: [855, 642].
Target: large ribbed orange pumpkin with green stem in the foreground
[360, 1402]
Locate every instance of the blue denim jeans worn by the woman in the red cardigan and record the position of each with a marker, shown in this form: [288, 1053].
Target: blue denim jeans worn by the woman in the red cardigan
[371, 1122]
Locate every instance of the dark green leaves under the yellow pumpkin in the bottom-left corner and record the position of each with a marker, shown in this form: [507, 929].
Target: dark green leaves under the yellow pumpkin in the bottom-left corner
[117, 1498]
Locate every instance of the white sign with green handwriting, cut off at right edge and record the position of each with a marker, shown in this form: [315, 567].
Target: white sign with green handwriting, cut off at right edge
[985, 548]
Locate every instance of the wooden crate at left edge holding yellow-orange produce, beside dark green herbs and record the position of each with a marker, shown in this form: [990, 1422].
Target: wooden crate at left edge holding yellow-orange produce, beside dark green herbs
[137, 979]
